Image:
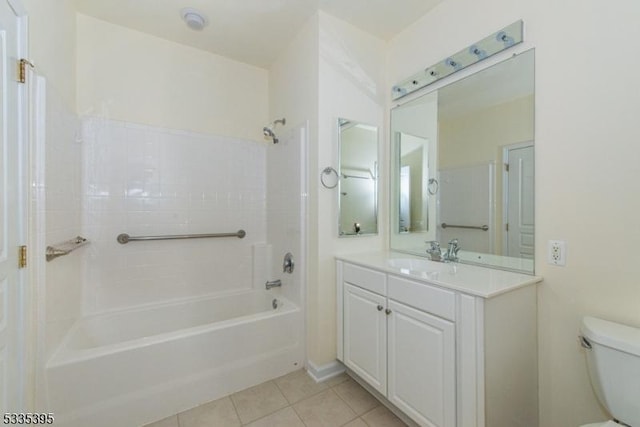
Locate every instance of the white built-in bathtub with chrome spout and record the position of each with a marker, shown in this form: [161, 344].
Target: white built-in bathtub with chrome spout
[133, 367]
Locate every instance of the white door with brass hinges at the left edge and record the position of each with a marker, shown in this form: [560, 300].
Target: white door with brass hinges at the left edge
[11, 235]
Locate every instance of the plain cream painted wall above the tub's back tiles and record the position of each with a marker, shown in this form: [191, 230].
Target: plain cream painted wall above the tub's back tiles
[131, 76]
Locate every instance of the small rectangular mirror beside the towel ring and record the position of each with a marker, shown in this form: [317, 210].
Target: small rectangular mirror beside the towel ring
[358, 172]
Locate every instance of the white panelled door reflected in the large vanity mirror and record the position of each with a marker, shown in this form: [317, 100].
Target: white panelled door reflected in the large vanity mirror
[520, 210]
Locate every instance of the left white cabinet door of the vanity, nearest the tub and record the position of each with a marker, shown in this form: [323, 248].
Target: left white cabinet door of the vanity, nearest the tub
[365, 335]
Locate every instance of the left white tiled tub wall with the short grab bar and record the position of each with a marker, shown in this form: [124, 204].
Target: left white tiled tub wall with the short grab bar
[57, 207]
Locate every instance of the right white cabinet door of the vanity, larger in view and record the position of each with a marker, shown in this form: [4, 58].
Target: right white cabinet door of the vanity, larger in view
[422, 365]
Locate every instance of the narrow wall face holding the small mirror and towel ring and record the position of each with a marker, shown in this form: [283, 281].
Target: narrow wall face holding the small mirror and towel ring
[351, 86]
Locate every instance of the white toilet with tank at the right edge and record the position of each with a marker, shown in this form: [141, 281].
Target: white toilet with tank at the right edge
[613, 361]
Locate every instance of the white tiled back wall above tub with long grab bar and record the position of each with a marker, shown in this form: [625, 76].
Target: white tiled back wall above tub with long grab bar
[144, 180]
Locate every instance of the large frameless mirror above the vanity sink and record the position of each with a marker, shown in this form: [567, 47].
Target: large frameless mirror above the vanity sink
[463, 167]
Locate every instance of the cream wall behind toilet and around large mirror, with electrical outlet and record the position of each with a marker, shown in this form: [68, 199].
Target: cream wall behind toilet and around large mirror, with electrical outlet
[586, 137]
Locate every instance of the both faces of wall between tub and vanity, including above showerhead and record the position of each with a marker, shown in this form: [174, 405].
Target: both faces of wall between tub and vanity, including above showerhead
[330, 70]
